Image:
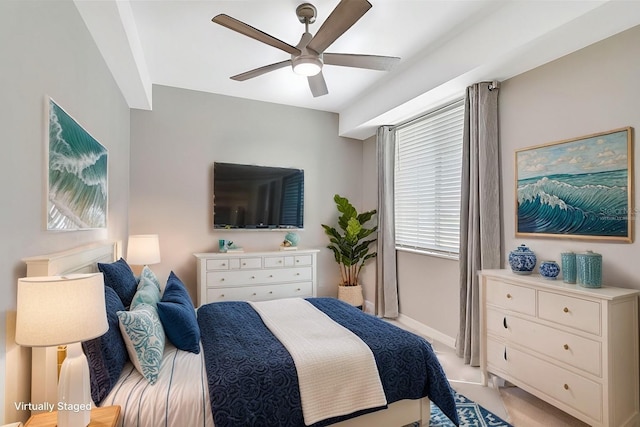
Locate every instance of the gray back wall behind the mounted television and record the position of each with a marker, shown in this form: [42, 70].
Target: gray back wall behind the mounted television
[172, 154]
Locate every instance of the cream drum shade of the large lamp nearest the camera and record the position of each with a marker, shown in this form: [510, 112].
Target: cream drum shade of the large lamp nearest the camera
[58, 310]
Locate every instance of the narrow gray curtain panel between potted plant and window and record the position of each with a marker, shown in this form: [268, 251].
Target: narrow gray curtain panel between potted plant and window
[386, 280]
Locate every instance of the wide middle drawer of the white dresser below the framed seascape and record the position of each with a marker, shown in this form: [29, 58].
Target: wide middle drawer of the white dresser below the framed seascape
[576, 351]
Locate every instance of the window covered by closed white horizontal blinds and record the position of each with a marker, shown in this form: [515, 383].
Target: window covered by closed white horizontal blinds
[428, 165]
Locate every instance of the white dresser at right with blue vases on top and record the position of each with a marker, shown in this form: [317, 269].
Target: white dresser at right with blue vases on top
[574, 347]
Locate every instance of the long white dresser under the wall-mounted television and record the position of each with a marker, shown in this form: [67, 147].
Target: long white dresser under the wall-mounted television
[256, 276]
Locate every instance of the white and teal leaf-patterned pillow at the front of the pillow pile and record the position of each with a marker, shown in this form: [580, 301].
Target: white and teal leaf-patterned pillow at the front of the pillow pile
[144, 337]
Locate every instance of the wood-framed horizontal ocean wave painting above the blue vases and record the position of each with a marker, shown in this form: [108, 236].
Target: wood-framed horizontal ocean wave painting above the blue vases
[578, 188]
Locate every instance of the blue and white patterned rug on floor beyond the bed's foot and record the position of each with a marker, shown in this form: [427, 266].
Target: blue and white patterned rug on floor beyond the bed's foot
[470, 414]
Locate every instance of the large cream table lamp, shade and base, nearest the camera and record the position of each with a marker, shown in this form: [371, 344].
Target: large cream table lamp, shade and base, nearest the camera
[64, 310]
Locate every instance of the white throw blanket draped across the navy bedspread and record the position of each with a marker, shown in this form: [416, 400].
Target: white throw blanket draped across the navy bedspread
[337, 372]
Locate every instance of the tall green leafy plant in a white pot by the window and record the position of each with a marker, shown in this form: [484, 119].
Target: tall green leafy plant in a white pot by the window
[351, 247]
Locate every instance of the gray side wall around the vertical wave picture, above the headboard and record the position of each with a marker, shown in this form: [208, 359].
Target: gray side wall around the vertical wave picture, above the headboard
[46, 50]
